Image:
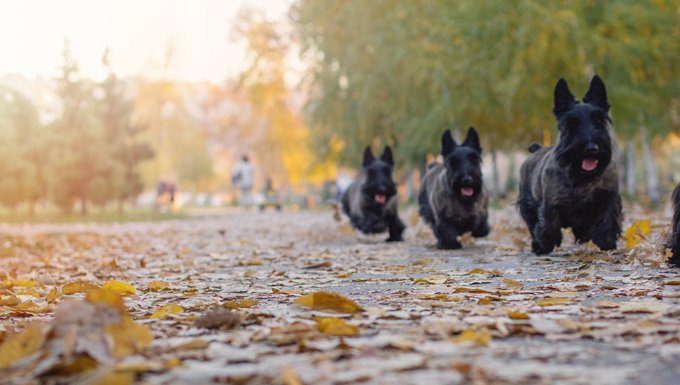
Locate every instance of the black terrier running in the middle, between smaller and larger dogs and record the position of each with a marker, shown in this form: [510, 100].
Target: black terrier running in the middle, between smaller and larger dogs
[453, 199]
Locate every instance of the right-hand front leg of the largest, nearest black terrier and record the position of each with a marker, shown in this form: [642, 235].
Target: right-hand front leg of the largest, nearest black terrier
[607, 227]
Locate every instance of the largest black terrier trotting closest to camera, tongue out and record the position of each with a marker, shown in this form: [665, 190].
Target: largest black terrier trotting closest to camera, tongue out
[574, 184]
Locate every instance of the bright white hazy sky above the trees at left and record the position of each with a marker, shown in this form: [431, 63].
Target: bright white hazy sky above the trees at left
[136, 31]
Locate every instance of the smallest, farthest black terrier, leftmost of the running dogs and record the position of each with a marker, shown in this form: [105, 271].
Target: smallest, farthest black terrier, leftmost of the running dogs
[371, 201]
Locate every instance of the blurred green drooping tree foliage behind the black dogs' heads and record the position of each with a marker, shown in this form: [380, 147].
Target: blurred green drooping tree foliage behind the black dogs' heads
[400, 72]
